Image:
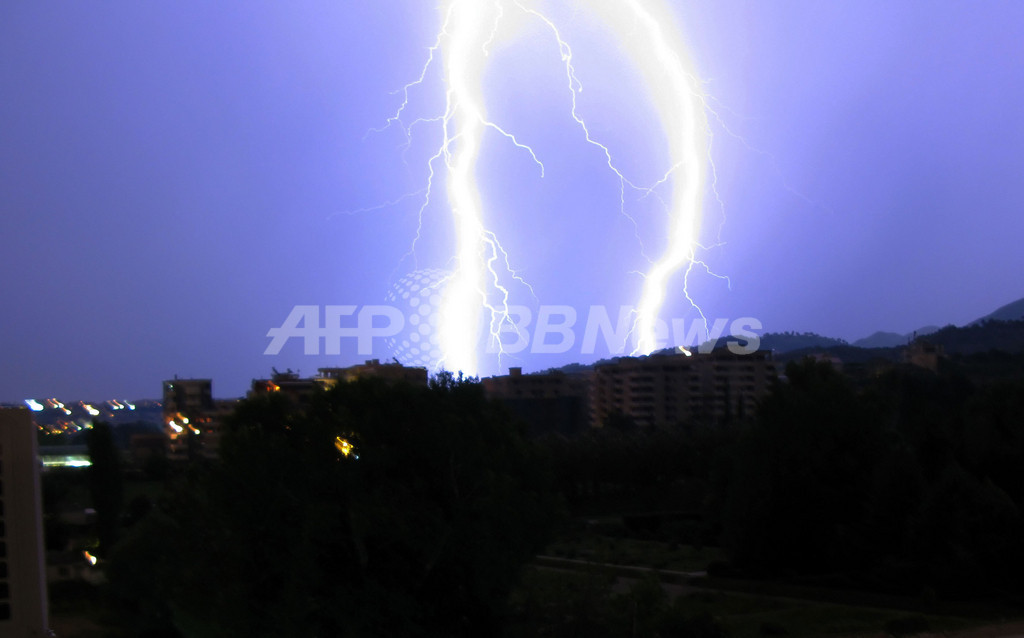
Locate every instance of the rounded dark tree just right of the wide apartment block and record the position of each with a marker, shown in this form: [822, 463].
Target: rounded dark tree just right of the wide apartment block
[804, 476]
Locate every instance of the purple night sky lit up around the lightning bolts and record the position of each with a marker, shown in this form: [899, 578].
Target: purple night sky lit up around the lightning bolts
[177, 177]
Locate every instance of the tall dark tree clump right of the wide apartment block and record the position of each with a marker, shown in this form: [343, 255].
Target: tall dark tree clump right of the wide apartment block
[915, 482]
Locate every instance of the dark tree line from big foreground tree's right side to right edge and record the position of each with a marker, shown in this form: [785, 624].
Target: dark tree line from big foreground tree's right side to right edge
[907, 483]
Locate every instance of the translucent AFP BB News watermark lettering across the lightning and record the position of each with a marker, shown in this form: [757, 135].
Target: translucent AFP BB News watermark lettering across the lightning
[411, 332]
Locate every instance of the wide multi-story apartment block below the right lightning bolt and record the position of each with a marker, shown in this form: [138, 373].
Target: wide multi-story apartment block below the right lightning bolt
[666, 390]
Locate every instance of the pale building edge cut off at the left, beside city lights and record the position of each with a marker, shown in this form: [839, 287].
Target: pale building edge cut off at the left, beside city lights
[23, 576]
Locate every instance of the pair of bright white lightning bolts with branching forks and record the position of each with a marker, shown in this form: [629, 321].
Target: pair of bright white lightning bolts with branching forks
[646, 31]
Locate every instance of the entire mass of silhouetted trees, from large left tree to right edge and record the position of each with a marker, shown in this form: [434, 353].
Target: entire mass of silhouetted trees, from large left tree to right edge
[907, 483]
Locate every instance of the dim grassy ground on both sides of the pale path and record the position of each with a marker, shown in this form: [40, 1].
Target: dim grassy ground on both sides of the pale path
[556, 602]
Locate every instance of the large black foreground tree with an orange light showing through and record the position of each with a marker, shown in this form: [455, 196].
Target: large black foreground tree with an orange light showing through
[420, 531]
